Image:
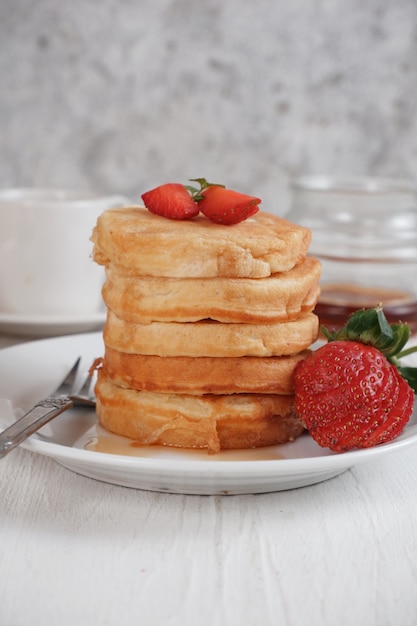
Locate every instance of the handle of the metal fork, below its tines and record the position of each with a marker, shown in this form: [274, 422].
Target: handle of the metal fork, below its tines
[42, 413]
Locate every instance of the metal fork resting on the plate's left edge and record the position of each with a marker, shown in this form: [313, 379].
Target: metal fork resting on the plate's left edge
[60, 400]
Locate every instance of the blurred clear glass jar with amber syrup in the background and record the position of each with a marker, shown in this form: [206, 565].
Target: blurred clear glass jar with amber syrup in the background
[364, 231]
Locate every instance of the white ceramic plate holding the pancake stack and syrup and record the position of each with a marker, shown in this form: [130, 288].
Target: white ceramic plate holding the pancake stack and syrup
[30, 371]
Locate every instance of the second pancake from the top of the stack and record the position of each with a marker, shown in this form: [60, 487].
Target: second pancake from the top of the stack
[280, 297]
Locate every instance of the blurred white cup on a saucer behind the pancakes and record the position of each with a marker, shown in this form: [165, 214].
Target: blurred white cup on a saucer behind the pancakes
[45, 252]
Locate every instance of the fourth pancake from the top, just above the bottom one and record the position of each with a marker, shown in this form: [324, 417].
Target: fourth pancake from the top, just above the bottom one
[200, 375]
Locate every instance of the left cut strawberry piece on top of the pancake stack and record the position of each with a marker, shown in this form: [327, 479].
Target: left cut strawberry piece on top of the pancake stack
[171, 200]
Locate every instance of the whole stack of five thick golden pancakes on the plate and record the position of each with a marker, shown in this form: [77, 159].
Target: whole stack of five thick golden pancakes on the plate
[205, 325]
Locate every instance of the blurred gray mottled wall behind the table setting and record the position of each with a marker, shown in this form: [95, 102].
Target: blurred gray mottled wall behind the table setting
[122, 95]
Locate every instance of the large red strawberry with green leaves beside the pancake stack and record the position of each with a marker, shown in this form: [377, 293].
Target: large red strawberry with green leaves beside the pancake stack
[352, 392]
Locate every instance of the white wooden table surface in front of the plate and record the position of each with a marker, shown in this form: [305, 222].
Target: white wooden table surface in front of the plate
[74, 551]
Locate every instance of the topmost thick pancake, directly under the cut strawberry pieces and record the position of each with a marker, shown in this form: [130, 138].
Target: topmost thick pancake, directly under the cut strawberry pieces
[135, 241]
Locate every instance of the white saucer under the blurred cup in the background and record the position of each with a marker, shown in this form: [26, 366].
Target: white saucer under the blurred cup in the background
[49, 325]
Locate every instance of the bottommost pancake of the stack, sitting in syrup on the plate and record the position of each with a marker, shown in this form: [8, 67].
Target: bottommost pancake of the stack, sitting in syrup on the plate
[214, 422]
